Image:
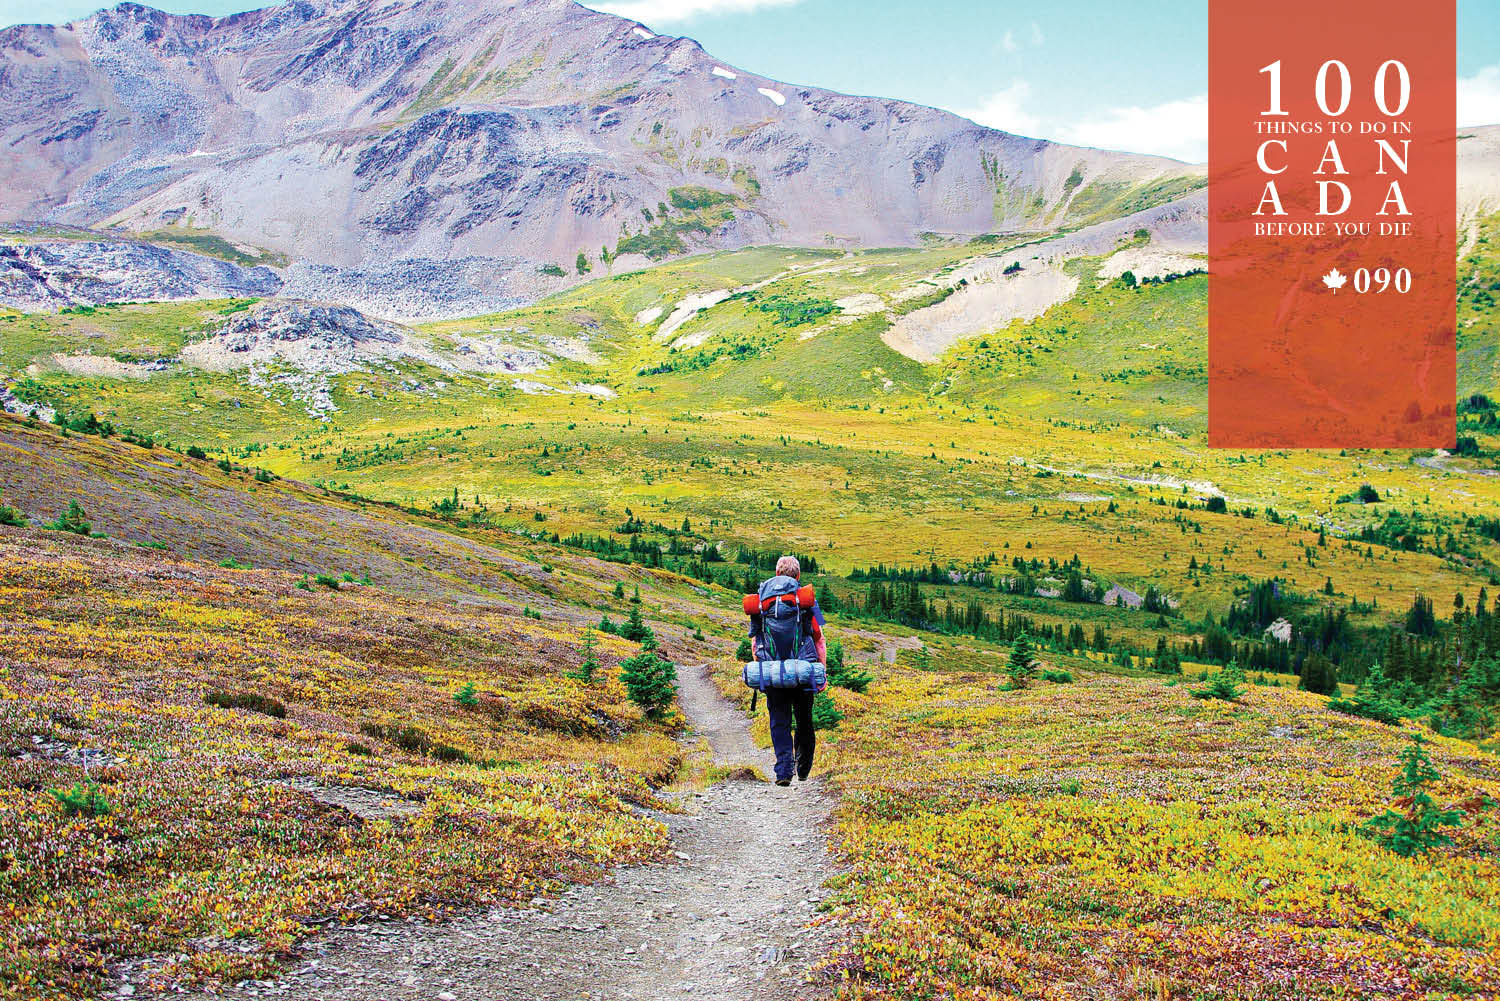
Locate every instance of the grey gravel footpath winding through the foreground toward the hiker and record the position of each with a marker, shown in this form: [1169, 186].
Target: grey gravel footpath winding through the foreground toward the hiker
[724, 921]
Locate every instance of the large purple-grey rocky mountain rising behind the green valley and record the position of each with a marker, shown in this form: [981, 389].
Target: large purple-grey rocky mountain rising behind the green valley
[446, 157]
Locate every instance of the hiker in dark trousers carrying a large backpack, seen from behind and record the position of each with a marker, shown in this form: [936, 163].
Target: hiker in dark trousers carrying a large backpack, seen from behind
[799, 636]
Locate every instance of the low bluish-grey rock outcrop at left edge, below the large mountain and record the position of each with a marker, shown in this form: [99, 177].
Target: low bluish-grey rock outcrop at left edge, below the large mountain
[85, 272]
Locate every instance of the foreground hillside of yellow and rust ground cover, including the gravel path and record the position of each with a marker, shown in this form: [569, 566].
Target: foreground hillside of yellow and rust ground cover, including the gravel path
[259, 777]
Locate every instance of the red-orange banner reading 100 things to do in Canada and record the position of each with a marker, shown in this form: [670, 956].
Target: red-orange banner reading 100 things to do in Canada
[1333, 224]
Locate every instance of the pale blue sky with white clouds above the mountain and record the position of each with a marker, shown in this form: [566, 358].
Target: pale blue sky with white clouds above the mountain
[1094, 73]
